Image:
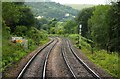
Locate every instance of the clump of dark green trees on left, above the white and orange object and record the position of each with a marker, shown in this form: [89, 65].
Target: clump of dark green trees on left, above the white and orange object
[19, 20]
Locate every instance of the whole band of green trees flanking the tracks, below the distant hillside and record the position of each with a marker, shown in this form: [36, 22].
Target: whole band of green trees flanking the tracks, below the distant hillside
[99, 23]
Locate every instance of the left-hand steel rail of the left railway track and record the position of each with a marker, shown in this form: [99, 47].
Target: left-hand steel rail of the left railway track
[31, 59]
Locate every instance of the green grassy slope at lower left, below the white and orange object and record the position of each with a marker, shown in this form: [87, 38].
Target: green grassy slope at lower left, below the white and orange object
[12, 53]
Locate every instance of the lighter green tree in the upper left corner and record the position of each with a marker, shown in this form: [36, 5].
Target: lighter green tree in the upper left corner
[10, 14]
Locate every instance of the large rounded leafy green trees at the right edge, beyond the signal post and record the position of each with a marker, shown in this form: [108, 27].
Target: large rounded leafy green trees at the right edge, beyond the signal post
[106, 27]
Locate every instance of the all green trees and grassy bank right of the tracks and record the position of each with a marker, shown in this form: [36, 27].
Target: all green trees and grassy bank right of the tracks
[100, 23]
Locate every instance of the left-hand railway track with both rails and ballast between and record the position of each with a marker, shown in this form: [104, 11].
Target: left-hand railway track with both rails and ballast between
[36, 66]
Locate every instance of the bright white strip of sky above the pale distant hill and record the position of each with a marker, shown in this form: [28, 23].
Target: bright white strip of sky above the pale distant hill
[81, 1]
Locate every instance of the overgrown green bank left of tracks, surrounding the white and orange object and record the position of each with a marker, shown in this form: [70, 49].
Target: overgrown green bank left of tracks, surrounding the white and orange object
[14, 52]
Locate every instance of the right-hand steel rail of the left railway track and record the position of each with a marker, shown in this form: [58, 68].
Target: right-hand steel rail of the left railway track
[46, 60]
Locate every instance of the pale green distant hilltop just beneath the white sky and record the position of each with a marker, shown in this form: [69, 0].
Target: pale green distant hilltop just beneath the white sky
[79, 6]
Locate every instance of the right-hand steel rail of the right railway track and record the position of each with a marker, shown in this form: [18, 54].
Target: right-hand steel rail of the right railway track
[95, 75]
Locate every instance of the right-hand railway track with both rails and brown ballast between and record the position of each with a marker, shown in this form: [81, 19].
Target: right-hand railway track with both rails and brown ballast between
[77, 67]
